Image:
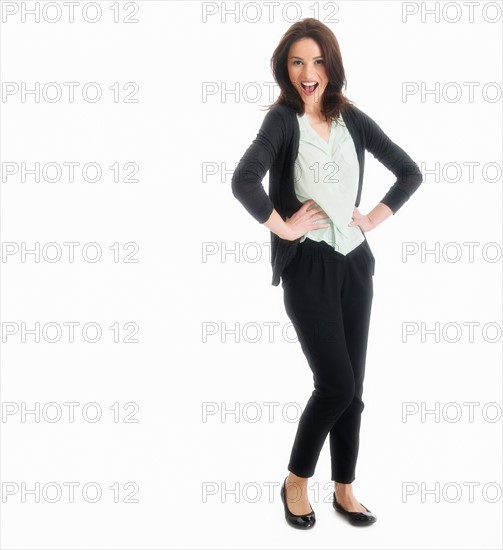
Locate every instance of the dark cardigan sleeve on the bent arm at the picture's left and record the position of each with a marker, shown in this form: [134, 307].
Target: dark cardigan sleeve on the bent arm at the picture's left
[247, 178]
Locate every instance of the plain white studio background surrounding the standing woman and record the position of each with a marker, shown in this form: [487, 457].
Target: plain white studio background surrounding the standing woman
[198, 475]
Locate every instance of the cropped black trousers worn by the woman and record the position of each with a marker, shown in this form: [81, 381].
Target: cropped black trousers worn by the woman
[328, 298]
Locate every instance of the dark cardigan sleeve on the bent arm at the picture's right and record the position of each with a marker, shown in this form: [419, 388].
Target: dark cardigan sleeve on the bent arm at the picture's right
[388, 153]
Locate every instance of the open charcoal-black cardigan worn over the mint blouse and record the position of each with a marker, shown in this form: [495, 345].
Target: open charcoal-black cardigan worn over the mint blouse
[275, 149]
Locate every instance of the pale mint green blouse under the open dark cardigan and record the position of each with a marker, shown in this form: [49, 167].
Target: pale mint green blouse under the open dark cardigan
[328, 173]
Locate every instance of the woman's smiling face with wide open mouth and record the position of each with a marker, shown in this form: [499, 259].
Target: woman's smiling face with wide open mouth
[306, 69]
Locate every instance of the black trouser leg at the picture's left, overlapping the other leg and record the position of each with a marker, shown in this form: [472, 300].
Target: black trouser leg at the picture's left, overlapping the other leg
[313, 295]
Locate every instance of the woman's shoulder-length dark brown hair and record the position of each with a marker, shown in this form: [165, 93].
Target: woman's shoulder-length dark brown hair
[333, 101]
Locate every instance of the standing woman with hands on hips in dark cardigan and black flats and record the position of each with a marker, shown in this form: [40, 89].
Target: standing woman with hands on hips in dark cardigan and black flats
[313, 141]
